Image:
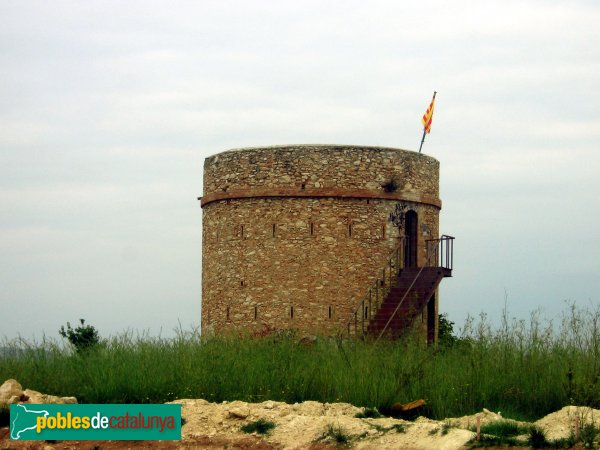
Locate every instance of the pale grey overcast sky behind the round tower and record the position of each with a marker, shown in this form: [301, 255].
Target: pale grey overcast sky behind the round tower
[108, 109]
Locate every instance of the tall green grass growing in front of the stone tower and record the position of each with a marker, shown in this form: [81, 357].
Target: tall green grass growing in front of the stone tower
[524, 369]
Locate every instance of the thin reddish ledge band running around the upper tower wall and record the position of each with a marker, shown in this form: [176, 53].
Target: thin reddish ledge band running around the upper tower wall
[319, 193]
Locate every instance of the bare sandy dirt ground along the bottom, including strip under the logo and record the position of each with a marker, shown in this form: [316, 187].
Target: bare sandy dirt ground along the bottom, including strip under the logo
[308, 425]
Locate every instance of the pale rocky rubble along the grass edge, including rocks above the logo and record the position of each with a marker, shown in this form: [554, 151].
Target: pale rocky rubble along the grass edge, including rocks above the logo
[306, 425]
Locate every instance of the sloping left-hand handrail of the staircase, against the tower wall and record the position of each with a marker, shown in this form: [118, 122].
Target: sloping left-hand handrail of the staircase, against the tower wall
[372, 300]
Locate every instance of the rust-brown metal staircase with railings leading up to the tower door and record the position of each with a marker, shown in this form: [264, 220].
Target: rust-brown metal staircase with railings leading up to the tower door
[401, 293]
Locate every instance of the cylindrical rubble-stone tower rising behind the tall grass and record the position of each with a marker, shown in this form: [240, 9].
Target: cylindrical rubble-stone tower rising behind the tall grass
[293, 236]
